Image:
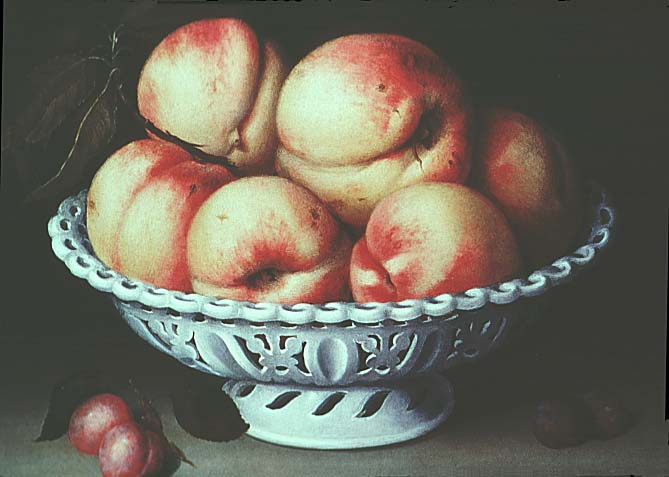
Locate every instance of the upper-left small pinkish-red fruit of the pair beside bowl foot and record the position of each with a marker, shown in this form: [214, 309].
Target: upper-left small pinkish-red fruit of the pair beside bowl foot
[94, 418]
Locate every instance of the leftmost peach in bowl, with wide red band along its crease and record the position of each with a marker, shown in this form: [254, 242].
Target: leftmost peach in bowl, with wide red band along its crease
[140, 206]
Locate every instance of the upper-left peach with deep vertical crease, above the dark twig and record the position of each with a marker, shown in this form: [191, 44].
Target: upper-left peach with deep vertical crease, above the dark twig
[213, 84]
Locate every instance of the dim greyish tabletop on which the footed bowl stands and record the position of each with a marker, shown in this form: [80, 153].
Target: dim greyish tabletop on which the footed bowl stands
[488, 434]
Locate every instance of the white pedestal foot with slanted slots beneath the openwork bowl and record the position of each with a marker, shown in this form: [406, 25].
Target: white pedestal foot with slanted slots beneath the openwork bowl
[347, 417]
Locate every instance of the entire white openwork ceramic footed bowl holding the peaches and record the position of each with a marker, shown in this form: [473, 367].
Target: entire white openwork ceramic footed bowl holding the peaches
[335, 375]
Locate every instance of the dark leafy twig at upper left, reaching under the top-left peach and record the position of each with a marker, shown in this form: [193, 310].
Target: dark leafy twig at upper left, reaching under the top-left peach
[78, 101]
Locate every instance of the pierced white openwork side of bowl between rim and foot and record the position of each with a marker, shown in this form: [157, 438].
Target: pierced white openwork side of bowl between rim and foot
[323, 355]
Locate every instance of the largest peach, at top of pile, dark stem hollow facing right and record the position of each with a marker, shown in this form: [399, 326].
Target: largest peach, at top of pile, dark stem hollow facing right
[364, 115]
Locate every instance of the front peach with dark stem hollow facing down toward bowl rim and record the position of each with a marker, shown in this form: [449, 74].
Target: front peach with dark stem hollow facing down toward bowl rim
[266, 239]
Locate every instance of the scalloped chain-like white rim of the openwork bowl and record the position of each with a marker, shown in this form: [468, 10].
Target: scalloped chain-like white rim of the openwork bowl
[70, 243]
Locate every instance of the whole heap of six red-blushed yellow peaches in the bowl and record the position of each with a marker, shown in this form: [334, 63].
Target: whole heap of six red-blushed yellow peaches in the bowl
[363, 173]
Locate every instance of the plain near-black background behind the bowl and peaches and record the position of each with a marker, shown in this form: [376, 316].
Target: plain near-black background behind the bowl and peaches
[597, 72]
